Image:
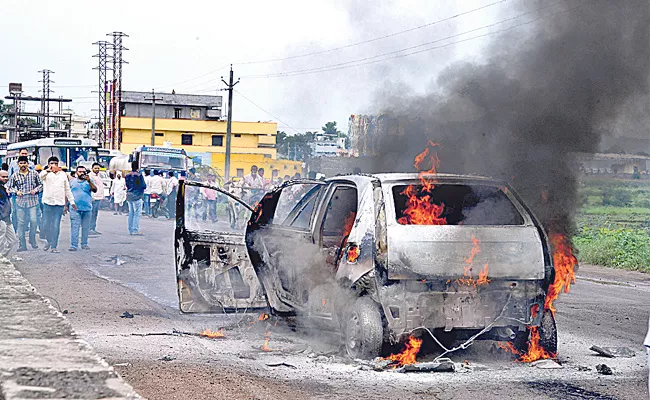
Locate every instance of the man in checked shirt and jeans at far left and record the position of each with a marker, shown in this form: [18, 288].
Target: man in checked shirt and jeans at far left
[25, 185]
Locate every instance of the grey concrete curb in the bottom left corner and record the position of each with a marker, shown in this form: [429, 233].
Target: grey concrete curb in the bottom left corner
[41, 356]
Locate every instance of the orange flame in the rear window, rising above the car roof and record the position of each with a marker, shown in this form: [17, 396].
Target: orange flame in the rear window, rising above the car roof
[420, 209]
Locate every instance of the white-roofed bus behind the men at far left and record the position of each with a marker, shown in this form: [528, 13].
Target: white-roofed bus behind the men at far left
[70, 151]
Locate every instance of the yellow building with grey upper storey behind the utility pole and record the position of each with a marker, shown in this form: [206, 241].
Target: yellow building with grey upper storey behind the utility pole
[193, 123]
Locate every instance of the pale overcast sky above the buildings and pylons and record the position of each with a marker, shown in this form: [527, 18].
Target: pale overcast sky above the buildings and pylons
[187, 46]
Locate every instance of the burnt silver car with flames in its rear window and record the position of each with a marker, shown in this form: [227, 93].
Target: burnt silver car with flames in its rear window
[381, 257]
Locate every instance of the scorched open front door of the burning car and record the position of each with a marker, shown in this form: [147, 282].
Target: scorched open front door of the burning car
[213, 270]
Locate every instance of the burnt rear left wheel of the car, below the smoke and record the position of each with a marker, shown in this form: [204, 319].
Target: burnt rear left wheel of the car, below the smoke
[363, 329]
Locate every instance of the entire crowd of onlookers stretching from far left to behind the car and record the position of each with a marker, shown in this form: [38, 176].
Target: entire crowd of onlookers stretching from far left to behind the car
[34, 199]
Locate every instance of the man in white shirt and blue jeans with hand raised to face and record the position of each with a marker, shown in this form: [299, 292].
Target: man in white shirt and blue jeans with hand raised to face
[56, 189]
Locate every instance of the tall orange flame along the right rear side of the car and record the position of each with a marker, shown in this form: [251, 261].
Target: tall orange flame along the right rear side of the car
[565, 264]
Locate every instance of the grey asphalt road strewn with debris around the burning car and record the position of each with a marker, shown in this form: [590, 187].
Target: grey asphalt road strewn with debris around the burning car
[605, 307]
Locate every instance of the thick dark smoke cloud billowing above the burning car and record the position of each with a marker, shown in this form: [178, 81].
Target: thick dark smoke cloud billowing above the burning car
[546, 90]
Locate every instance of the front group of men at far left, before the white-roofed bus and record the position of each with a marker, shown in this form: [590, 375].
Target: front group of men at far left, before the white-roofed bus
[34, 198]
